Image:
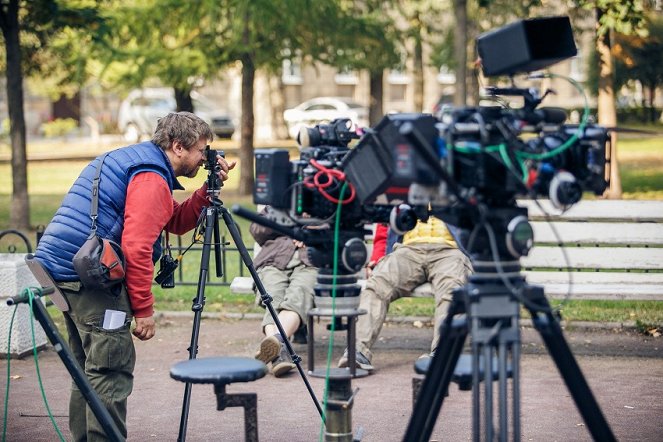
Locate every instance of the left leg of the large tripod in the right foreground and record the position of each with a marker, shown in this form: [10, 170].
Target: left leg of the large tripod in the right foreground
[436, 382]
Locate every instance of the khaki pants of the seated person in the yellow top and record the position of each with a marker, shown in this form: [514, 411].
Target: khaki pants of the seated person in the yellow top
[398, 274]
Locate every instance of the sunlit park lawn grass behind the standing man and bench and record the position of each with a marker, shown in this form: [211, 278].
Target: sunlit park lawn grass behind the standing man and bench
[641, 167]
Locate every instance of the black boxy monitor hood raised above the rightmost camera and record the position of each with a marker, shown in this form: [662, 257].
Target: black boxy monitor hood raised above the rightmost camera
[526, 46]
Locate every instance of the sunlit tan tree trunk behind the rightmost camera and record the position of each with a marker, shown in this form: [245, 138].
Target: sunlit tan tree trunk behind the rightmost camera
[607, 111]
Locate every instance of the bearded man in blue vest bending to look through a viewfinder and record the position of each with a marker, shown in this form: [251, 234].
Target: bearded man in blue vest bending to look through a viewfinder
[135, 205]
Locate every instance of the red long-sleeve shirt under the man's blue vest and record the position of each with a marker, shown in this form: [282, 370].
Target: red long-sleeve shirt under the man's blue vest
[149, 209]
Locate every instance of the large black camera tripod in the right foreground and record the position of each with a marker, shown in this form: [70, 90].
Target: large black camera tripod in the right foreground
[488, 309]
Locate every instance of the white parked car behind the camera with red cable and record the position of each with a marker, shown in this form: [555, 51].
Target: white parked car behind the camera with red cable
[322, 110]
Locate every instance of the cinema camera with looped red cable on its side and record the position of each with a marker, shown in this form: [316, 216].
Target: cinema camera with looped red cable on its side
[303, 198]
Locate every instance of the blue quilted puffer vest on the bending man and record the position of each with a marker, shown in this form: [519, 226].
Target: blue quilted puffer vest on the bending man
[71, 224]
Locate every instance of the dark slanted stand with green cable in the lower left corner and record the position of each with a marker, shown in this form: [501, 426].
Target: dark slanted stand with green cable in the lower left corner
[69, 361]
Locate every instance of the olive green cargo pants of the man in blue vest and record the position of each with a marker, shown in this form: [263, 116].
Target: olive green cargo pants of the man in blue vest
[106, 356]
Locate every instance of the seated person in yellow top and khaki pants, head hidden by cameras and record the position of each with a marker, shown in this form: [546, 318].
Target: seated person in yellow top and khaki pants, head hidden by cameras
[398, 265]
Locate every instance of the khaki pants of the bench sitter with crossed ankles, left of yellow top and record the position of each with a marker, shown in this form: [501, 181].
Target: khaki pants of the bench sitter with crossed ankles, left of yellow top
[291, 289]
